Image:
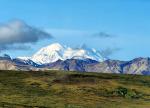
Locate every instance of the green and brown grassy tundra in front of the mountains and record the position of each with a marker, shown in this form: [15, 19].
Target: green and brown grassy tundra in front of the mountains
[58, 89]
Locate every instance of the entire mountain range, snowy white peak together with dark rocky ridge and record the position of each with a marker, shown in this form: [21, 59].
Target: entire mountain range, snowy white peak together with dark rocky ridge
[83, 59]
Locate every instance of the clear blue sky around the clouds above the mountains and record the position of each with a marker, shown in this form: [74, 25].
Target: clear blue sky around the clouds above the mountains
[74, 22]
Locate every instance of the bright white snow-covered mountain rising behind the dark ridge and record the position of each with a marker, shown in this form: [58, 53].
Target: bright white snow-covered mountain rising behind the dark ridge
[56, 52]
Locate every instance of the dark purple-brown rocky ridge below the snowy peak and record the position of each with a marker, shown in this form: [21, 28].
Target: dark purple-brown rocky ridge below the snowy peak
[136, 66]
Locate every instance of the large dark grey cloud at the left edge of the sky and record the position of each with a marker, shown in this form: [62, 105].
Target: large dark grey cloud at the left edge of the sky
[18, 32]
